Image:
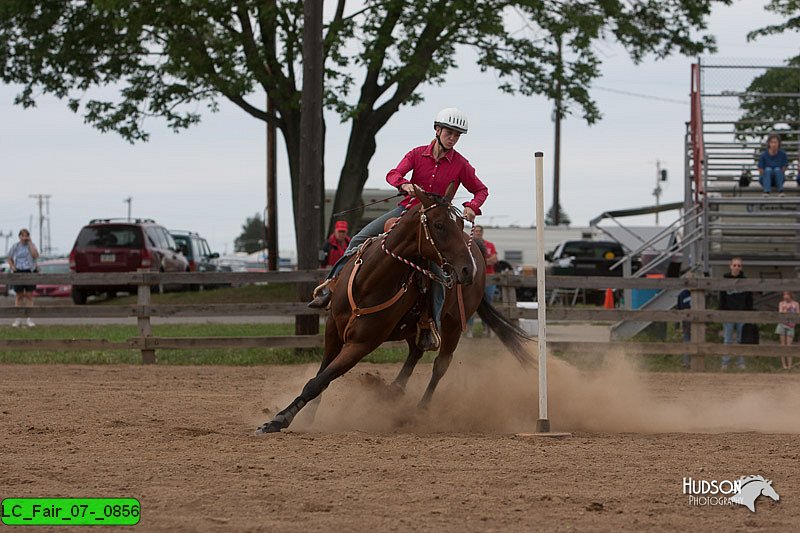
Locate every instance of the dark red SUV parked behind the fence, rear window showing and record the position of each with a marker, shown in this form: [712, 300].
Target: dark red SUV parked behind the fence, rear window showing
[122, 245]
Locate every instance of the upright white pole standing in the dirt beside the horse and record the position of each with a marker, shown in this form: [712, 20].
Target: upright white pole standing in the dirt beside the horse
[542, 424]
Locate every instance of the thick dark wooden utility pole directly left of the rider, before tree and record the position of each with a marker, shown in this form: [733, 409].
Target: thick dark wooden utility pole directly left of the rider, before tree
[309, 220]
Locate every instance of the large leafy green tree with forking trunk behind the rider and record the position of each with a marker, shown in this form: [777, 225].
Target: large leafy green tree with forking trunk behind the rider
[163, 57]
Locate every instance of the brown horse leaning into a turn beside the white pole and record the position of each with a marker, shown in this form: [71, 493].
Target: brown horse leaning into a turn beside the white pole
[385, 295]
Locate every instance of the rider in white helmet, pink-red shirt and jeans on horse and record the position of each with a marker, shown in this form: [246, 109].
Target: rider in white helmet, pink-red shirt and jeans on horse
[434, 166]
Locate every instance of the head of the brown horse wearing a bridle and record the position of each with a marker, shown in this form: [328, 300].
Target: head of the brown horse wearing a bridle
[441, 237]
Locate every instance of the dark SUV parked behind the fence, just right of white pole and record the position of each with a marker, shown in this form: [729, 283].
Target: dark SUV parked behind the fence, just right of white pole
[585, 258]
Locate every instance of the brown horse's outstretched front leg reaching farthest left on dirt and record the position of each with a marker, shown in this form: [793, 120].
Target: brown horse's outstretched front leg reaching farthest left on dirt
[344, 361]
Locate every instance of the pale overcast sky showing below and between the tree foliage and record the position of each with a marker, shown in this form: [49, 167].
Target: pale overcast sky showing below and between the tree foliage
[210, 178]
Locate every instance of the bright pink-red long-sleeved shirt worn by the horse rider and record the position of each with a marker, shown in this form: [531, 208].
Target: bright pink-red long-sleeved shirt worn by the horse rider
[434, 176]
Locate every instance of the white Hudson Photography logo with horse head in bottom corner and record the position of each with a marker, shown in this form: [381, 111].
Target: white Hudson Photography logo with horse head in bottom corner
[743, 491]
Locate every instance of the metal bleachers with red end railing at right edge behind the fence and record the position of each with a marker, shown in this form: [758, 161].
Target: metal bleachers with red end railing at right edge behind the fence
[724, 143]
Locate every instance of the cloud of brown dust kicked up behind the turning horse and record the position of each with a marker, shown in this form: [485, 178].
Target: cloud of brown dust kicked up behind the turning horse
[486, 391]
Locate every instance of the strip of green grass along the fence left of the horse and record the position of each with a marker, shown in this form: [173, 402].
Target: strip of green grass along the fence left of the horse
[215, 356]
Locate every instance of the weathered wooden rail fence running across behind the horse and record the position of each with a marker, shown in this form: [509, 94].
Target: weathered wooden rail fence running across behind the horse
[144, 310]
